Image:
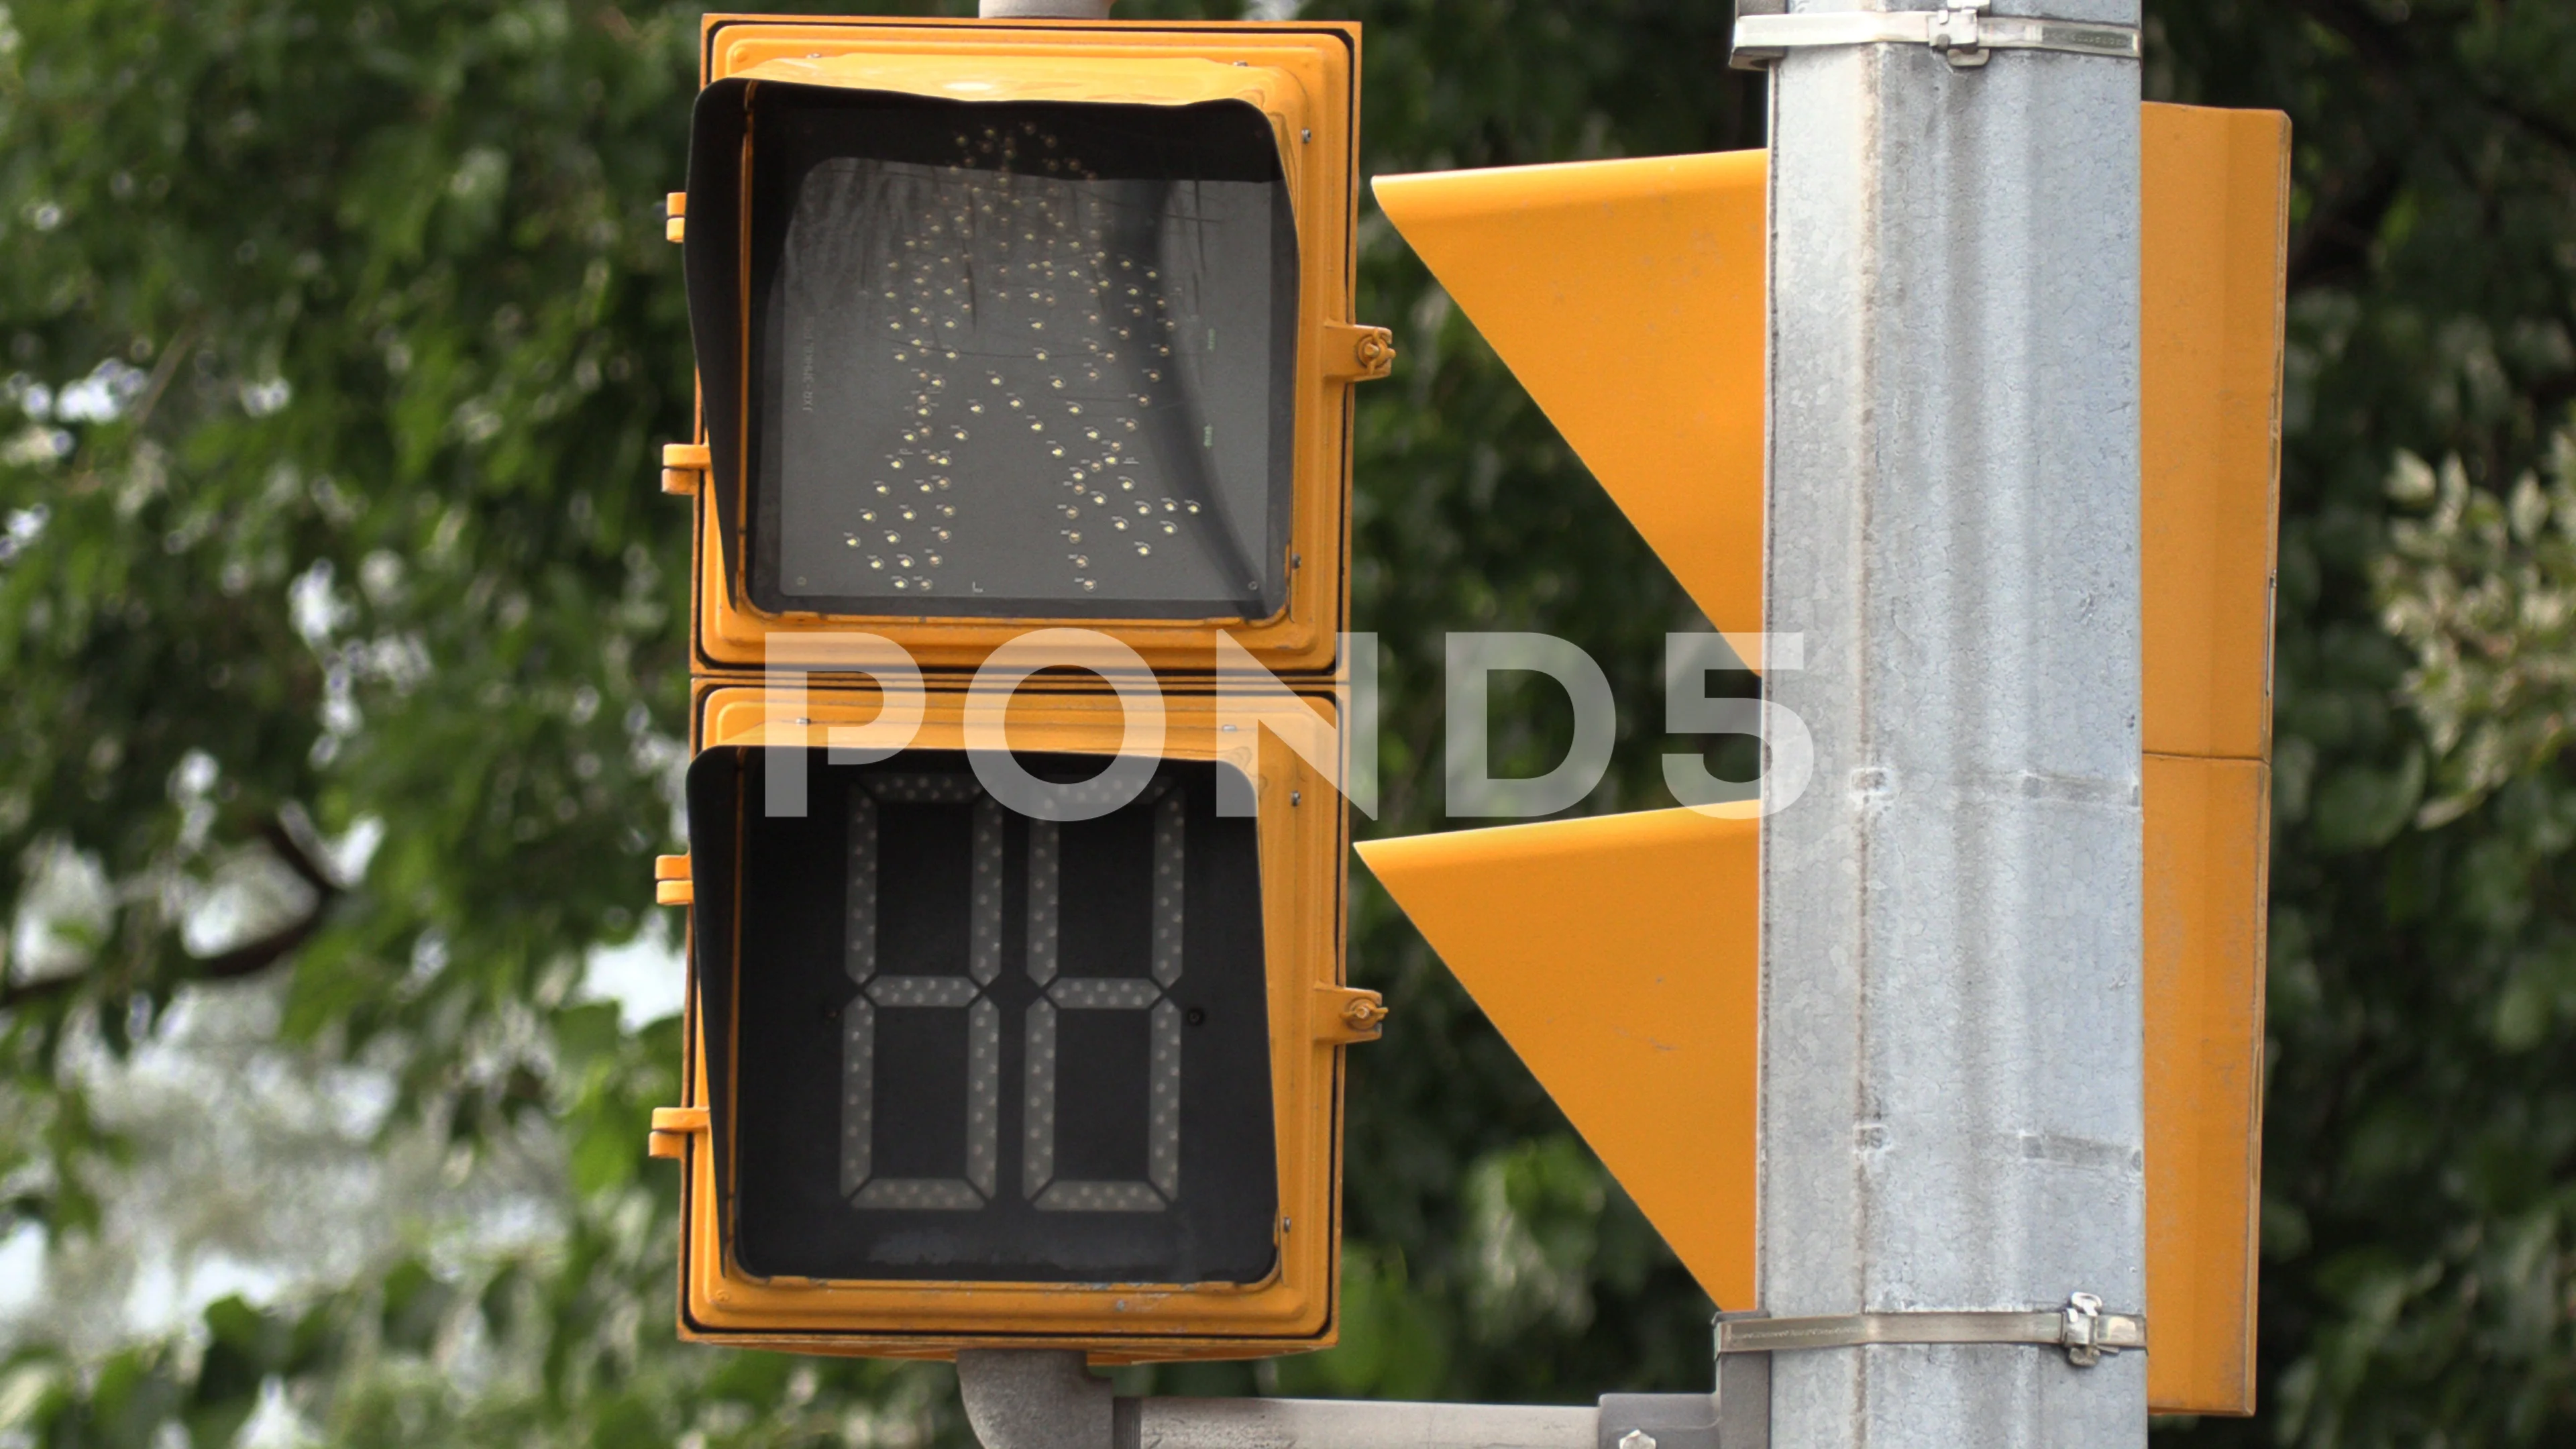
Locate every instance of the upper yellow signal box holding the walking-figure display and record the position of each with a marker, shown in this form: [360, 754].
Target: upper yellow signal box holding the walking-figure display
[1027, 321]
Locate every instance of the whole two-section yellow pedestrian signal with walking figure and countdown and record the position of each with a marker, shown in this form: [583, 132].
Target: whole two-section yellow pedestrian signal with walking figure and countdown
[1016, 976]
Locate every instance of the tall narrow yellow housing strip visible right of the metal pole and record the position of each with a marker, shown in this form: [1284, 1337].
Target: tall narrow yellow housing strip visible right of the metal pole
[2217, 202]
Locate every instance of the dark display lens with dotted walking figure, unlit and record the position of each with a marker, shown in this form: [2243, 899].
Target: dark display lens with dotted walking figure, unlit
[1021, 360]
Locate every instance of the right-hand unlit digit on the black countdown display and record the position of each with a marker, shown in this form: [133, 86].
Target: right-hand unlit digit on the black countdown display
[1104, 994]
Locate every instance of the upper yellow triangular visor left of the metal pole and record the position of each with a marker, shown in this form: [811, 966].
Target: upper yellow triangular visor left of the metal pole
[1627, 295]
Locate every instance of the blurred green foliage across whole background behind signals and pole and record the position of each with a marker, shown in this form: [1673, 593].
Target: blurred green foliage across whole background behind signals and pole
[341, 700]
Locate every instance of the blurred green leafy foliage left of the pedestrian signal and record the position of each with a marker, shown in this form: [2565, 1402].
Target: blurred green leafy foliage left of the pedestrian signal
[339, 347]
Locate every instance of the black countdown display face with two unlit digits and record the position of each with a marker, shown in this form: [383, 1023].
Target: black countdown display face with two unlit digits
[975, 1045]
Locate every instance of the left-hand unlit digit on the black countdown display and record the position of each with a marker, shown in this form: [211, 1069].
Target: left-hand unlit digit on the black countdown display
[983, 1017]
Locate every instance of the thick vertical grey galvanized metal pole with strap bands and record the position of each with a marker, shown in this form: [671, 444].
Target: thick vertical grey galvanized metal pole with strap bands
[1951, 919]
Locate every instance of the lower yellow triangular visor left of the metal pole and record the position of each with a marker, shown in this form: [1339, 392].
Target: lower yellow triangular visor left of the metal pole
[1619, 958]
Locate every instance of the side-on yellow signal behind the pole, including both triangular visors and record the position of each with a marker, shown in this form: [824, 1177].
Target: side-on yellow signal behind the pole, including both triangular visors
[1665, 406]
